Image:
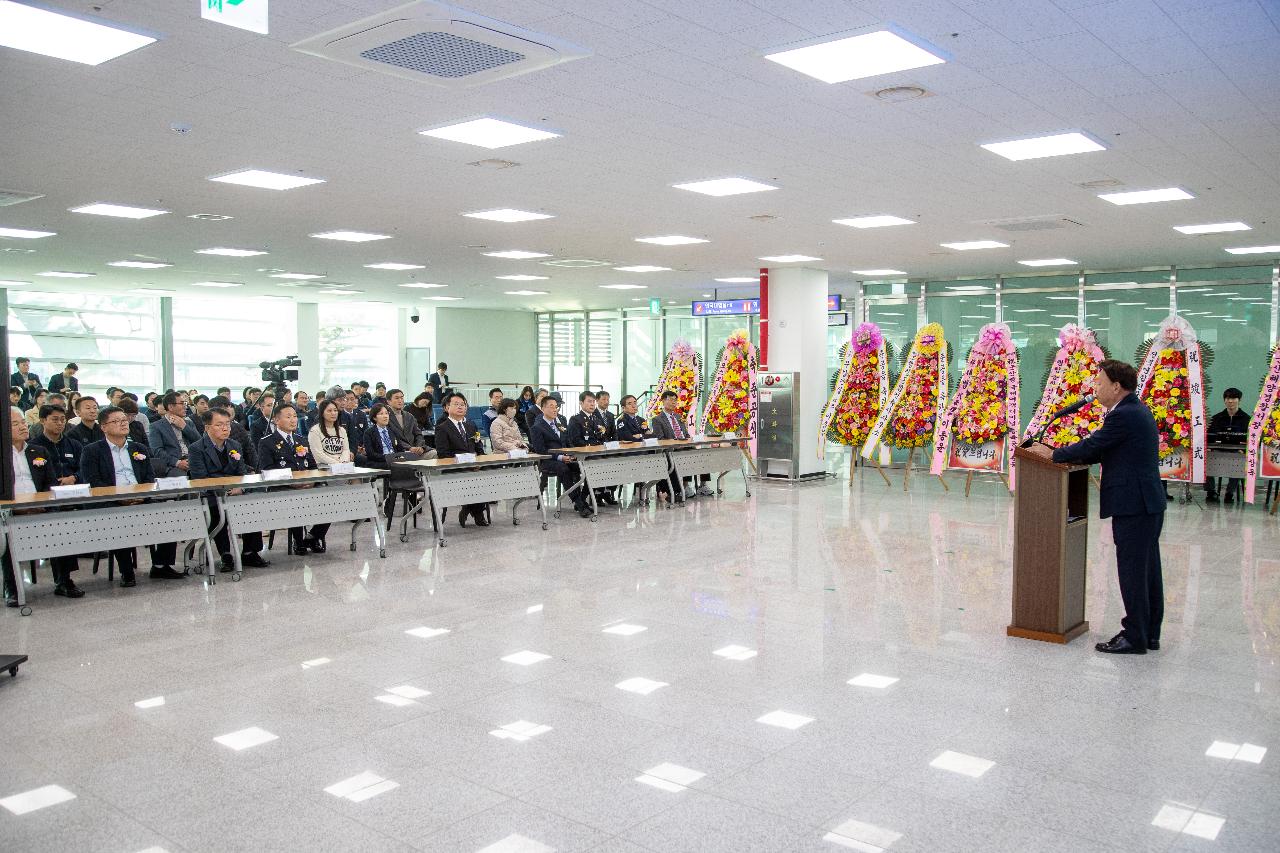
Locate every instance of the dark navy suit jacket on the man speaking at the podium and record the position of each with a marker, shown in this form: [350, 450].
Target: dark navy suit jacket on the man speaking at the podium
[1128, 446]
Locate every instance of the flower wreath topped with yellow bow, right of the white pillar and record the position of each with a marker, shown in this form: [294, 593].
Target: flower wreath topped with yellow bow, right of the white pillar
[911, 416]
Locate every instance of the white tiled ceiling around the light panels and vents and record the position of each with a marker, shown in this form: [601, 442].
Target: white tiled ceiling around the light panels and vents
[1187, 93]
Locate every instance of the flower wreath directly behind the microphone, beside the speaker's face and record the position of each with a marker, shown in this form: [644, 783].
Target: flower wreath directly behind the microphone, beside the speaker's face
[1071, 377]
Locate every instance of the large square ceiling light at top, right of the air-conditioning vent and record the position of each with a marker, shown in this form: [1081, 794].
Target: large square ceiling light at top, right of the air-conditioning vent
[885, 51]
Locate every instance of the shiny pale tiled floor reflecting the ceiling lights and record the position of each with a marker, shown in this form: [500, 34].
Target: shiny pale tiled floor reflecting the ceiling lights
[648, 740]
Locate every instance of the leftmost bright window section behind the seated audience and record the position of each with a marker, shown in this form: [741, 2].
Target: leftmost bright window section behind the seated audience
[115, 340]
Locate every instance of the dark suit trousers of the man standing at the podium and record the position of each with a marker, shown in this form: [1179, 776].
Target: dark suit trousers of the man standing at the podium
[1142, 585]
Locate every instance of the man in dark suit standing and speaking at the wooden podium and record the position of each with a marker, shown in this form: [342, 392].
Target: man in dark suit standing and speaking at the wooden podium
[1133, 498]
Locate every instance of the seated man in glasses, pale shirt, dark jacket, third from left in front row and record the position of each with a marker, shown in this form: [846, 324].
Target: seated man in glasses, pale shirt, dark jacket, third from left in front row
[118, 462]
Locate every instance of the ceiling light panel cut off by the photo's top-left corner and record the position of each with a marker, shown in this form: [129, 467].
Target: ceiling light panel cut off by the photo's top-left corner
[61, 35]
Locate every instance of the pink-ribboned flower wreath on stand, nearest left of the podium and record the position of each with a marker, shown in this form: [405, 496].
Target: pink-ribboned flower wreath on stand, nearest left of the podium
[973, 434]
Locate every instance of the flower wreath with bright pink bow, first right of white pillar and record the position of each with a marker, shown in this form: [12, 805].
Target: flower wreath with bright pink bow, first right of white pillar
[861, 390]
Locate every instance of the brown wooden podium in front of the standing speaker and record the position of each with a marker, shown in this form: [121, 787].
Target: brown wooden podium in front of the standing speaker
[1052, 540]
